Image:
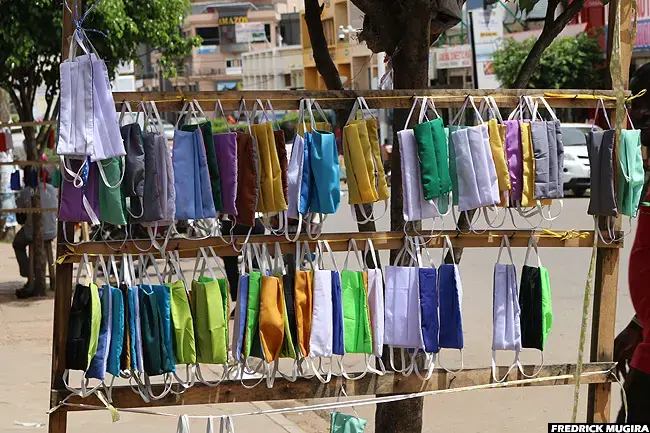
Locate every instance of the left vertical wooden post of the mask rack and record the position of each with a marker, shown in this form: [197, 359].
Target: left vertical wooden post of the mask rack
[58, 420]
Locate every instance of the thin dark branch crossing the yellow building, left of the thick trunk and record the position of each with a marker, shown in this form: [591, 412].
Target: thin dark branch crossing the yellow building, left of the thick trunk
[324, 63]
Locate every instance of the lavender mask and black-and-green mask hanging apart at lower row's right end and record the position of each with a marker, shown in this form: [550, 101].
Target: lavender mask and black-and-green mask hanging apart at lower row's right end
[522, 314]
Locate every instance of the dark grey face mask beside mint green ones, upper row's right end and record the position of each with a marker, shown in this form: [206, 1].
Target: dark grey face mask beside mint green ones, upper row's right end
[600, 145]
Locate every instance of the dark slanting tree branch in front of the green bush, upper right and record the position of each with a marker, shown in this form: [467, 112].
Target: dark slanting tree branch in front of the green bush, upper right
[549, 33]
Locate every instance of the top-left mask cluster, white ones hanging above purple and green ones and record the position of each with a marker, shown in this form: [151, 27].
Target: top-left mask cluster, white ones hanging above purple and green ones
[89, 142]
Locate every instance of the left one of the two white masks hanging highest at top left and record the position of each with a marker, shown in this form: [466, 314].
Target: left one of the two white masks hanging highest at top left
[75, 113]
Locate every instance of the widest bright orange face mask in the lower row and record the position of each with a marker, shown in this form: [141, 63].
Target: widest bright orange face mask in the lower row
[271, 318]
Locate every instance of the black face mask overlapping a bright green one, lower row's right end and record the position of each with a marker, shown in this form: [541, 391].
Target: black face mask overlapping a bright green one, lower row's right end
[530, 306]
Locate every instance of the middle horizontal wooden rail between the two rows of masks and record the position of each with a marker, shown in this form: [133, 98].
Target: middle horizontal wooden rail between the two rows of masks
[338, 242]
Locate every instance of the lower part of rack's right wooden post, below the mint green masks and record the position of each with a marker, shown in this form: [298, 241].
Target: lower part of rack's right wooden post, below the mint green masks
[603, 327]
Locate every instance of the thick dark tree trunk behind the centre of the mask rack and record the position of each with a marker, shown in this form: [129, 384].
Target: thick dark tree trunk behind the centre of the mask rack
[410, 71]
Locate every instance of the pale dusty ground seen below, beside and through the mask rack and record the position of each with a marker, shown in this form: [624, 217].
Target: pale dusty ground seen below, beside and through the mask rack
[26, 334]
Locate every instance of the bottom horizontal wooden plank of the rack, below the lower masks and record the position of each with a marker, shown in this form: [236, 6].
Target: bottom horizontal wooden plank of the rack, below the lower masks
[233, 391]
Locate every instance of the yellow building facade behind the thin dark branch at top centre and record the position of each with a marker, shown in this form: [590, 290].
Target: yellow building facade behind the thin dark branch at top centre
[355, 62]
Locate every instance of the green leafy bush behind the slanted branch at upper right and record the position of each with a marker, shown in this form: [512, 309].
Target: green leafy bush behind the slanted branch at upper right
[575, 62]
